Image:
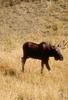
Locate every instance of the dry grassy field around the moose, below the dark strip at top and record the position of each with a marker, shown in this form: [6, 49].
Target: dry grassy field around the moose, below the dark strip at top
[33, 22]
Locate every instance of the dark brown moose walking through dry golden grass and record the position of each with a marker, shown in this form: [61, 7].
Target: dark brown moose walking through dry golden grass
[41, 51]
